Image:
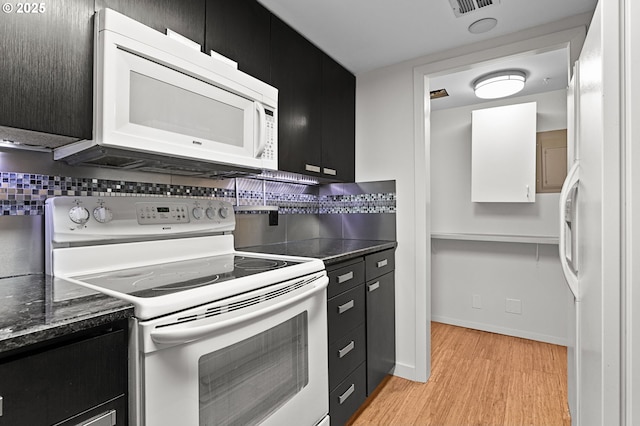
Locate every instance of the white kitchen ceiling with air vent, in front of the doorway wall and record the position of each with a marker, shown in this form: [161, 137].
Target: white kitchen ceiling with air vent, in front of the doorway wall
[367, 34]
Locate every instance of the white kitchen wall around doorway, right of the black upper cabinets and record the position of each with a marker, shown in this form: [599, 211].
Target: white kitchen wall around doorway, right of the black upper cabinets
[386, 144]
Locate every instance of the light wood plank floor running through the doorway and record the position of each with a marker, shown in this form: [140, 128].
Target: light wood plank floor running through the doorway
[477, 378]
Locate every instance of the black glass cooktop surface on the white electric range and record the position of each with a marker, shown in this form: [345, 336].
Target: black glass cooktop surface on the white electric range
[173, 277]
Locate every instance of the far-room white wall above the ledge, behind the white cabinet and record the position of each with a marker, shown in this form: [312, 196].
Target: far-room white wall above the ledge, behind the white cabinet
[452, 209]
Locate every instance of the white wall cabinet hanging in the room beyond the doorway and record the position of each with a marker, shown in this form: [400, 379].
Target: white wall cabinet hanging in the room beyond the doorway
[503, 154]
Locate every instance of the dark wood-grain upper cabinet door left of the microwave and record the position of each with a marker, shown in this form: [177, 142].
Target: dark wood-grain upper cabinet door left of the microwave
[47, 67]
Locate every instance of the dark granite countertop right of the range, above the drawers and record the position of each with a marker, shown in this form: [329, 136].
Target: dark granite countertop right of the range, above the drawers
[330, 250]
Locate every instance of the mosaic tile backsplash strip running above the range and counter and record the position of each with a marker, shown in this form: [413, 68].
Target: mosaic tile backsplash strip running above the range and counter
[25, 194]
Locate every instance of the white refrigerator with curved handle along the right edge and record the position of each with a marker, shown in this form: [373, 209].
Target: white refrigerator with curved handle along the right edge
[595, 220]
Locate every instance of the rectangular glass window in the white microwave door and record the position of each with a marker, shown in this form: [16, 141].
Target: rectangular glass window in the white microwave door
[159, 105]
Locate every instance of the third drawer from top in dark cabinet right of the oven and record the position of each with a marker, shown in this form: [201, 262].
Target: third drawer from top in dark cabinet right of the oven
[346, 354]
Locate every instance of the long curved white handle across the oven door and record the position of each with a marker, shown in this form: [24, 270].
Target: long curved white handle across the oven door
[180, 333]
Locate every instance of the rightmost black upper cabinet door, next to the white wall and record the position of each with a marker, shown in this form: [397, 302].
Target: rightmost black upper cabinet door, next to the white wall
[338, 121]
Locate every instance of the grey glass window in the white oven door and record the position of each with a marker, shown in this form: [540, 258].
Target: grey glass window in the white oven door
[246, 382]
